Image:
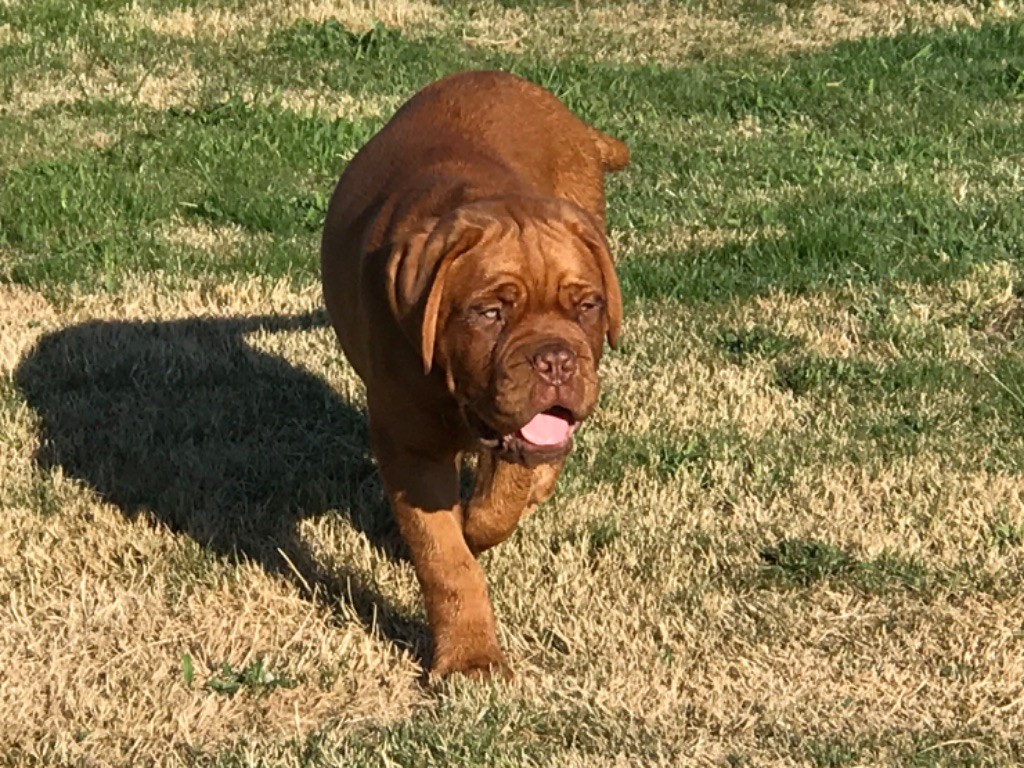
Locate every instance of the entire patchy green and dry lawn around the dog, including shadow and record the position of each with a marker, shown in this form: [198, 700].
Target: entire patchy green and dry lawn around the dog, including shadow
[793, 534]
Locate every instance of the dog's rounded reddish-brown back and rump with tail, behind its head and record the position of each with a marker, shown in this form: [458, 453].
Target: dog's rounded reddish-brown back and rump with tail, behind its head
[490, 131]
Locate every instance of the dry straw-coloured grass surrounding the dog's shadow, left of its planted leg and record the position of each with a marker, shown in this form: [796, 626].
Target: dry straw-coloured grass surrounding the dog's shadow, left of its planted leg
[92, 636]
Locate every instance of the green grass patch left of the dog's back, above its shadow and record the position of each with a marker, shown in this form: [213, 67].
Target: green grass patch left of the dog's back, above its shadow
[90, 220]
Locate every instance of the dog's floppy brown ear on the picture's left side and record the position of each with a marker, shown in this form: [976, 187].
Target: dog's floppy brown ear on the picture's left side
[418, 269]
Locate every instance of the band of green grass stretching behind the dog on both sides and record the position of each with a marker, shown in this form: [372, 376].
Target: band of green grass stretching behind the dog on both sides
[835, 127]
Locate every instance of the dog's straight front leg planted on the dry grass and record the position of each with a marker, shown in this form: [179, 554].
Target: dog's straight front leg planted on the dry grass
[424, 495]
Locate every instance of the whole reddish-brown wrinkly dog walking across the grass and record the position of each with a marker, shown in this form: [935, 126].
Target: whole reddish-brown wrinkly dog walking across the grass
[467, 276]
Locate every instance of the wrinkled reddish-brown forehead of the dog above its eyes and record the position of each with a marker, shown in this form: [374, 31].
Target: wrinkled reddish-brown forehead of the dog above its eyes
[543, 255]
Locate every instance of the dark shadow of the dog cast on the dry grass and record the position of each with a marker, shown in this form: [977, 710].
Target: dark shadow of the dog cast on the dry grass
[187, 422]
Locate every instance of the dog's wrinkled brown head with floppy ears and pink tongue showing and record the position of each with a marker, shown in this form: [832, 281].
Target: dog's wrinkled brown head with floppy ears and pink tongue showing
[513, 300]
